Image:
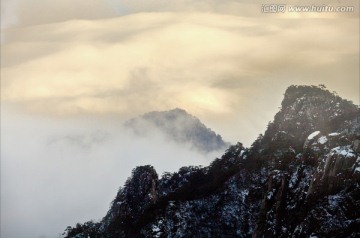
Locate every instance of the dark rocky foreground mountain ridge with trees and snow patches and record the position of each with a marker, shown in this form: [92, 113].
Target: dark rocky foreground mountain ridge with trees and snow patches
[300, 179]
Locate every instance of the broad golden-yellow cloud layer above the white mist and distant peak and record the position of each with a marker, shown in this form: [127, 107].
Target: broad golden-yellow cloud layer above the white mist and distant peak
[214, 66]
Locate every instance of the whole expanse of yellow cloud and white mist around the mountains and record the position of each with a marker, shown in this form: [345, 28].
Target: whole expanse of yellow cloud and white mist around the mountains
[72, 71]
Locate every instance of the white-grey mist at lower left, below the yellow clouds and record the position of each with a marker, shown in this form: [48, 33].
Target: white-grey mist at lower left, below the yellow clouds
[56, 172]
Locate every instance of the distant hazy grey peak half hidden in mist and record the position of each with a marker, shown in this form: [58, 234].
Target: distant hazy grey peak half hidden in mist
[180, 127]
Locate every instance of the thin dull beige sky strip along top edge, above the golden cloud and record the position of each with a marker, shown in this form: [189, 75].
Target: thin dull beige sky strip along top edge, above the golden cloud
[26, 12]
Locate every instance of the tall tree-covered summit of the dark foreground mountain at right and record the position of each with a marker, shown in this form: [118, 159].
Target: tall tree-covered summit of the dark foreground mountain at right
[306, 109]
